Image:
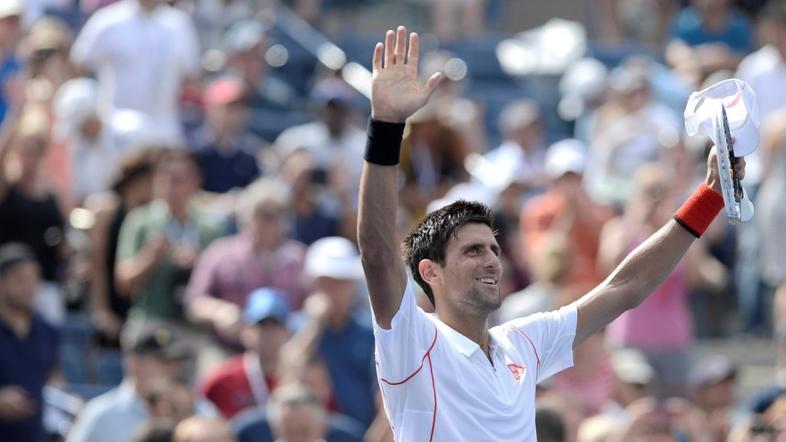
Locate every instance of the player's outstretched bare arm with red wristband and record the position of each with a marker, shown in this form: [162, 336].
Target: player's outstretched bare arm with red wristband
[644, 269]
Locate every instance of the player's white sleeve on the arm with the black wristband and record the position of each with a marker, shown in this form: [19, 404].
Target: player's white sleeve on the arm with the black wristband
[401, 350]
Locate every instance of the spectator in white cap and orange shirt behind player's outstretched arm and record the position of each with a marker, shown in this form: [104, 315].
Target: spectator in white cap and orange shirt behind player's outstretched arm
[566, 209]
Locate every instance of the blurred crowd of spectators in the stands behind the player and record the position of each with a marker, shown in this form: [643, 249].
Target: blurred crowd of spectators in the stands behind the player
[178, 198]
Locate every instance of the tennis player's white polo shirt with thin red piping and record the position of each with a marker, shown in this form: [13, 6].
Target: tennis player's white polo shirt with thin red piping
[438, 385]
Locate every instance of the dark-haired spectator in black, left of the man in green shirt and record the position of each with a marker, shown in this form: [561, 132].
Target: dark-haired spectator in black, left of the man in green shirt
[131, 188]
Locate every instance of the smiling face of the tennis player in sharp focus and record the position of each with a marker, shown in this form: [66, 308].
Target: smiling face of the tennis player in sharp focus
[472, 271]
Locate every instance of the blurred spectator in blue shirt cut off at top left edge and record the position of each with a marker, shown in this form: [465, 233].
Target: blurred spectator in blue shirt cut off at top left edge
[10, 19]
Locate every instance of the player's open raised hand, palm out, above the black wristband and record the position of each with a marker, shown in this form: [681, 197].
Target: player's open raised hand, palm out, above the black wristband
[396, 92]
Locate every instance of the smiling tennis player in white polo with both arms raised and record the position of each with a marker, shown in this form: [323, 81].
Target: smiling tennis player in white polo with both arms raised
[446, 376]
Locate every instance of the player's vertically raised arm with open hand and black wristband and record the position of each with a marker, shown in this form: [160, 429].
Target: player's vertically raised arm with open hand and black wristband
[396, 94]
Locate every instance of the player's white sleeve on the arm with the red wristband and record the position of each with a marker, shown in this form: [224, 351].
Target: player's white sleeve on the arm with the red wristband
[550, 335]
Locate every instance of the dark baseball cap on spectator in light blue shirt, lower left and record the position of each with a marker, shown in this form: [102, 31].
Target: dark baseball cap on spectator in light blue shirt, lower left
[154, 337]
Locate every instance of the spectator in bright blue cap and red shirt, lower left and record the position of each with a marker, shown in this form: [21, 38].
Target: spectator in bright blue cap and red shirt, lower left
[246, 381]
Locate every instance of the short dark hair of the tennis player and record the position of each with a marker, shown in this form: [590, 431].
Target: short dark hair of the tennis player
[429, 239]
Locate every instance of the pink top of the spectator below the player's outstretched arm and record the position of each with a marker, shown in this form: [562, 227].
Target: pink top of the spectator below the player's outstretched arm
[662, 322]
